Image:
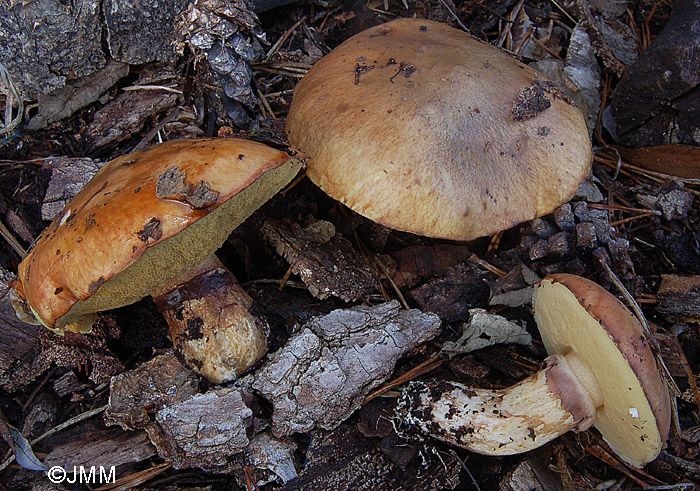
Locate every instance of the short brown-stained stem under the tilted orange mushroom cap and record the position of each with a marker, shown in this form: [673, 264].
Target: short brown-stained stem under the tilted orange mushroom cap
[210, 322]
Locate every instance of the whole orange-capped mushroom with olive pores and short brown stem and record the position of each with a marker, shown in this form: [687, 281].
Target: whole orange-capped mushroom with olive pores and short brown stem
[148, 223]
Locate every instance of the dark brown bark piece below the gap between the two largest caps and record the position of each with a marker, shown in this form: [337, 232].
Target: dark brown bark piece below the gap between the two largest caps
[328, 264]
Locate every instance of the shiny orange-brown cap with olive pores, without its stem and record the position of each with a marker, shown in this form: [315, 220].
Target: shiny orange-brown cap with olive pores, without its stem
[143, 219]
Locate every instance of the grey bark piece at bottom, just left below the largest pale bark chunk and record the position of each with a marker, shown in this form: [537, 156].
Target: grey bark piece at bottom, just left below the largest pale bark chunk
[204, 431]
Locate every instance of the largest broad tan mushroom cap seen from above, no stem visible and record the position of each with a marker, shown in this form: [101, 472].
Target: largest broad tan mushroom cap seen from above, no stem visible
[422, 128]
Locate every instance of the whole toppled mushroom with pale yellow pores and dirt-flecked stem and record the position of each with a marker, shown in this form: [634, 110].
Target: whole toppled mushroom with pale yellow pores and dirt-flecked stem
[600, 371]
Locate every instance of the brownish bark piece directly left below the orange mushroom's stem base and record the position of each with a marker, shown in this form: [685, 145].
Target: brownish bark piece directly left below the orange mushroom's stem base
[160, 382]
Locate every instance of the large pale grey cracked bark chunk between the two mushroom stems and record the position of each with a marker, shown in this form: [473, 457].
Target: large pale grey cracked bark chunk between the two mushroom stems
[321, 376]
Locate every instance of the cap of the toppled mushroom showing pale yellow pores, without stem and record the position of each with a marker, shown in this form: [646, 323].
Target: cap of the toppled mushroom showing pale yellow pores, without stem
[577, 315]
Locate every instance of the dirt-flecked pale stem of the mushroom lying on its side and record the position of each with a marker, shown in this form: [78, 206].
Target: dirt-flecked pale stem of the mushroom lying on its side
[506, 421]
